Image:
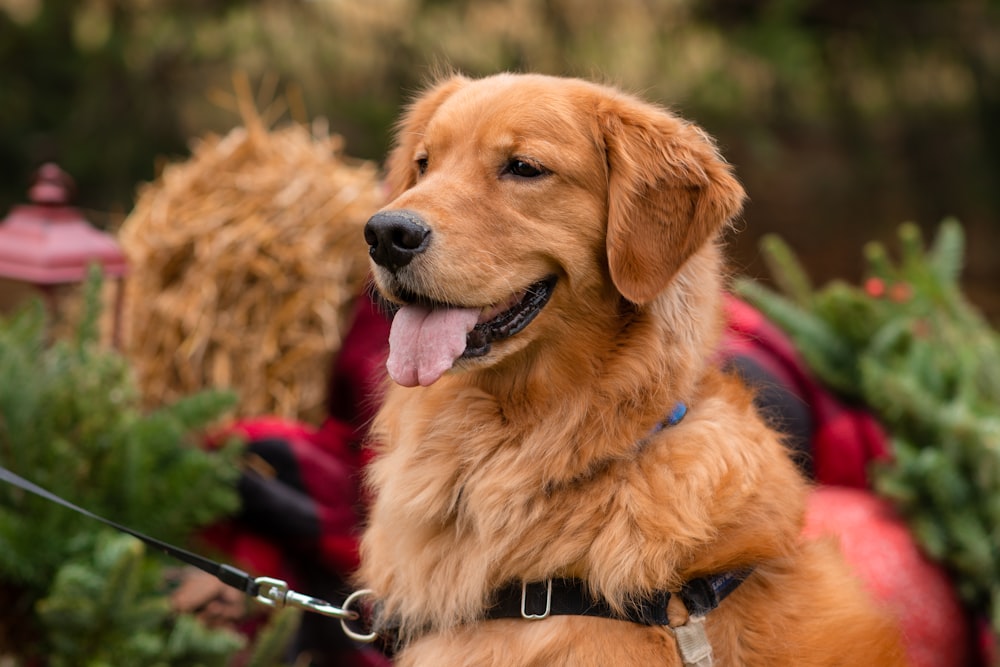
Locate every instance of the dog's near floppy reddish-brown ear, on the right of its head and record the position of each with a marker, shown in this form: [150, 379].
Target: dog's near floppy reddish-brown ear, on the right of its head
[669, 192]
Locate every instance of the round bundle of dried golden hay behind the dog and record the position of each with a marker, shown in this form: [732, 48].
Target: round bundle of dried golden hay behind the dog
[245, 261]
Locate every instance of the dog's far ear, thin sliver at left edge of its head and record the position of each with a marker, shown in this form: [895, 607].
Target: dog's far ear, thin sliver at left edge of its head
[401, 172]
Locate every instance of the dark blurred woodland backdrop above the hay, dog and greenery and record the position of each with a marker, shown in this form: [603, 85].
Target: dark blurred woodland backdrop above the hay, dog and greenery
[843, 118]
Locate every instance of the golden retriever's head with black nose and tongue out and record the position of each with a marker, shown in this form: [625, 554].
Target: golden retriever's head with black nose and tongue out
[524, 199]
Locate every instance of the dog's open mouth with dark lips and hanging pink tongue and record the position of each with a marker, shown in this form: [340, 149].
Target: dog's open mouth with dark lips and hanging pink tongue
[428, 337]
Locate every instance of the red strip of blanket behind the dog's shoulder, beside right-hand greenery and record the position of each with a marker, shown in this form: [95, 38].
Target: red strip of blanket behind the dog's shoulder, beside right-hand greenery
[846, 438]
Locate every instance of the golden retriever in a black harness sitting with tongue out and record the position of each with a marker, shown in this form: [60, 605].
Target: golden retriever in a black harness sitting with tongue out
[552, 247]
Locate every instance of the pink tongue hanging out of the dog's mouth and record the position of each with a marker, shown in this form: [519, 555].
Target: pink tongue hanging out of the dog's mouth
[425, 342]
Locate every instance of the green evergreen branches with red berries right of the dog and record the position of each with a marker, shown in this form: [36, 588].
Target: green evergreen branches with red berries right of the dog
[909, 345]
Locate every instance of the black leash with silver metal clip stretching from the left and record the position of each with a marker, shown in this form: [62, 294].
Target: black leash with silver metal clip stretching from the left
[267, 591]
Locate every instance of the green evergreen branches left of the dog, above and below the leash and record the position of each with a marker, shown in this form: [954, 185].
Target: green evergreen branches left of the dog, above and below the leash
[70, 420]
